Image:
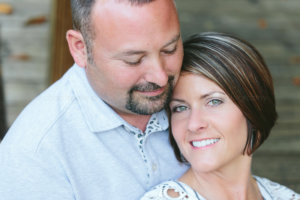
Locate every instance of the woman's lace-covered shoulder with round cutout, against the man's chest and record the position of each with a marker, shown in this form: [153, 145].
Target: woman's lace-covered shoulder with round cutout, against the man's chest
[170, 190]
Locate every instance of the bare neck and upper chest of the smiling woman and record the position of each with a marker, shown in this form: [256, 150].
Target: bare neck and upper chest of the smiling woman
[235, 182]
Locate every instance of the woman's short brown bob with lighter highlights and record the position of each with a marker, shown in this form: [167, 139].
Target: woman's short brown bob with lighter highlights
[239, 69]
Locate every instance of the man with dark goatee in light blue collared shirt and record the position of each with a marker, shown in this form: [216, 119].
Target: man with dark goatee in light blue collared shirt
[100, 132]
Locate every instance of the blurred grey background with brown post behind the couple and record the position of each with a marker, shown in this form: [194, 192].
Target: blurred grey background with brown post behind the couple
[34, 53]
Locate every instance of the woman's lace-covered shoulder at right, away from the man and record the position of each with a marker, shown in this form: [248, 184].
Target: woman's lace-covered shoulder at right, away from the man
[275, 190]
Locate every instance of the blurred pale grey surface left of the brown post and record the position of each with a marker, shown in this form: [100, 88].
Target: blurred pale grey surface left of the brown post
[25, 33]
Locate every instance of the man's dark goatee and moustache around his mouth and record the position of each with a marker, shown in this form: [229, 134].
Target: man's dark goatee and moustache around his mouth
[148, 105]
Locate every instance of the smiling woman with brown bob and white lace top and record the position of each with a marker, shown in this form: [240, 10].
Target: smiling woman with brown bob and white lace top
[222, 110]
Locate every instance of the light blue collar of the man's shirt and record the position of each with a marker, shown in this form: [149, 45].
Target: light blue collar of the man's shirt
[98, 115]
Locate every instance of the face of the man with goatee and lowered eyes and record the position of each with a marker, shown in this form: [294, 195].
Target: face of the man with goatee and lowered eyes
[137, 54]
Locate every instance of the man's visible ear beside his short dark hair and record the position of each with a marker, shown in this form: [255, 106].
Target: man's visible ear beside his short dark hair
[77, 47]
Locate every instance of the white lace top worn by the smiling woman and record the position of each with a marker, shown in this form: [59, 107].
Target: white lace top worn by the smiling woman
[268, 189]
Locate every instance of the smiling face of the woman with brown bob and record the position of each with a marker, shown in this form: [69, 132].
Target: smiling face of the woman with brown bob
[210, 130]
